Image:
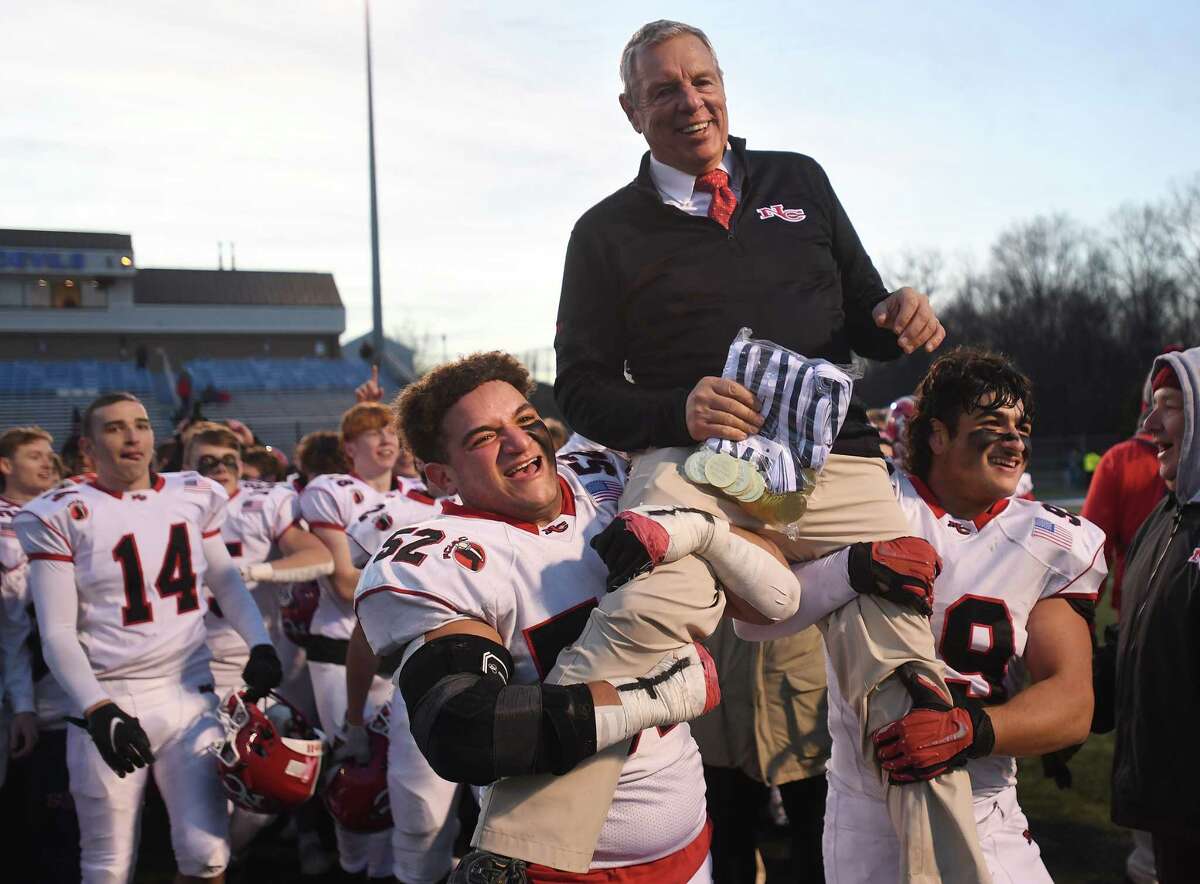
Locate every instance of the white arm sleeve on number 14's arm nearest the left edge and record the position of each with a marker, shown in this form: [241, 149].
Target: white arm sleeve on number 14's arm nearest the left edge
[57, 603]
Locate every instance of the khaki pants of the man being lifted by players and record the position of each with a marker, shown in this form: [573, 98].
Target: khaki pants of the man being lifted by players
[556, 821]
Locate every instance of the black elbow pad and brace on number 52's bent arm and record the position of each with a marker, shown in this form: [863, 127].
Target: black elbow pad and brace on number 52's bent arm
[475, 727]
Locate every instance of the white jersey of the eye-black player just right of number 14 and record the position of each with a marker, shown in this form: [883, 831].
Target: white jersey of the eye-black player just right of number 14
[257, 516]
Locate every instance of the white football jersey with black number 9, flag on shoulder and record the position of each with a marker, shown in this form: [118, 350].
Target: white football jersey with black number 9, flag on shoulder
[995, 569]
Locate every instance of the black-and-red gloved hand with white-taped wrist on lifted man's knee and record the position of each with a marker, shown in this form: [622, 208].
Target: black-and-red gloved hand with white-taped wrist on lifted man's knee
[640, 539]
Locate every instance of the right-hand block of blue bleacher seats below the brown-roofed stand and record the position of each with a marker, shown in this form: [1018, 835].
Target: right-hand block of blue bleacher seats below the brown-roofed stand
[250, 375]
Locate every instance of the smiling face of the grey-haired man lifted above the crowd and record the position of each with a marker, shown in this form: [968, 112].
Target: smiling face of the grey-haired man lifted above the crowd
[677, 103]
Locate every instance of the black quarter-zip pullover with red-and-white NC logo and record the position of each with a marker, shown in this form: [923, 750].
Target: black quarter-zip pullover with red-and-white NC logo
[662, 294]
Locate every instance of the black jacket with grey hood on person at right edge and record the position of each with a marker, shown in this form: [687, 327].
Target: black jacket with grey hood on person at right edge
[1156, 781]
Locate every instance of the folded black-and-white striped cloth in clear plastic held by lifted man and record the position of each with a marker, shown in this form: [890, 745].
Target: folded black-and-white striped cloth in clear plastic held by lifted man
[802, 401]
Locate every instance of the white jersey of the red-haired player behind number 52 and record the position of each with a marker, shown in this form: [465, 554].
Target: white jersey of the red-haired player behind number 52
[337, 502]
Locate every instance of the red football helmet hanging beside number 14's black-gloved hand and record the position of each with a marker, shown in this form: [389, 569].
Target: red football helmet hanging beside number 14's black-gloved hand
[269, 761]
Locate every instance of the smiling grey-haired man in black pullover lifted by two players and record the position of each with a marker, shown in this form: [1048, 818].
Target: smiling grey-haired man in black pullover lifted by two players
[659, 278]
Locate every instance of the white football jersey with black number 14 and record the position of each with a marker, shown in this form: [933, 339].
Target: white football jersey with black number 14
[139, 566]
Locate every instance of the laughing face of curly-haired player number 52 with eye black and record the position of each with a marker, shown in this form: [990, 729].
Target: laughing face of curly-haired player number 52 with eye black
[499, 455]
